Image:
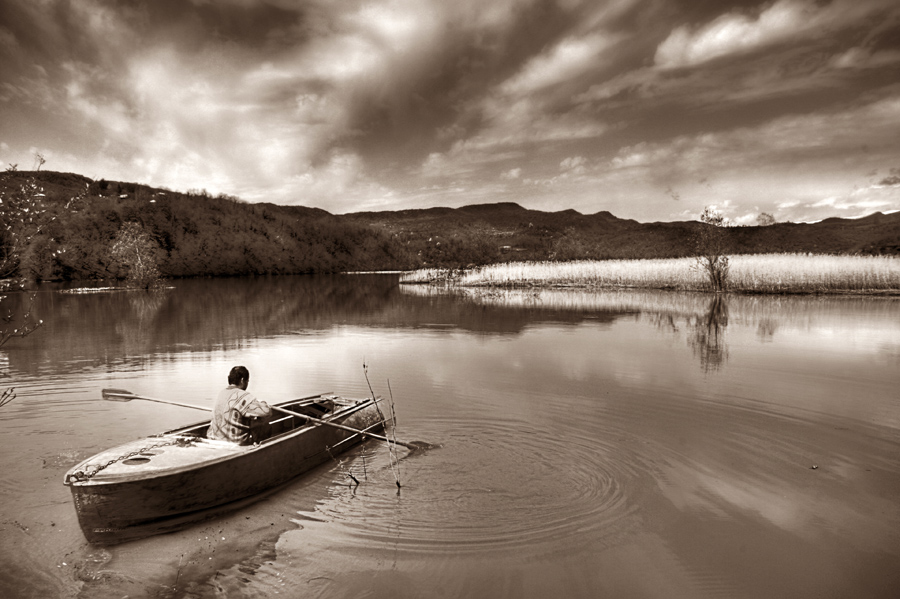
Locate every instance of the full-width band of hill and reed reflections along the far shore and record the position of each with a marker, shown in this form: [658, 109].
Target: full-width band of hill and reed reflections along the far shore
[120, 330]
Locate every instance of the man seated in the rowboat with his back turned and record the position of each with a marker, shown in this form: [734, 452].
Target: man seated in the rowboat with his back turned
[238, 416]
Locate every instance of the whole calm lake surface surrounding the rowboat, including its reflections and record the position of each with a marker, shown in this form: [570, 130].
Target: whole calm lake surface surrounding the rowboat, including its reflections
[608, 444]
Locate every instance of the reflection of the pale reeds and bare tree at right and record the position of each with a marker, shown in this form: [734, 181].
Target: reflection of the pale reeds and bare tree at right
[703, 319]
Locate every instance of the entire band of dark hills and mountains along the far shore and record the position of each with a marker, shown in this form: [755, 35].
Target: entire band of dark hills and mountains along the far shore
[195, 234]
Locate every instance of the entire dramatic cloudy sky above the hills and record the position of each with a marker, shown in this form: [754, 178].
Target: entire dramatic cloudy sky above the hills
[651, 109]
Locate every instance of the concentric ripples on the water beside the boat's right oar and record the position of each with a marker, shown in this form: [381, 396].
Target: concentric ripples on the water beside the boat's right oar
[491, 484]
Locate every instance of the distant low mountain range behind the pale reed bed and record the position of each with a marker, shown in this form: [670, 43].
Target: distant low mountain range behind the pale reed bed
[522, 233]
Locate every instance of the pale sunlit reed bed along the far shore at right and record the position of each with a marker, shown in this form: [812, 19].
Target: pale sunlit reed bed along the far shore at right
[761, 273]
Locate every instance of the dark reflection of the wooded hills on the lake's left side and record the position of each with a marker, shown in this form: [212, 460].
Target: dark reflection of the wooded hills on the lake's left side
[121, 329]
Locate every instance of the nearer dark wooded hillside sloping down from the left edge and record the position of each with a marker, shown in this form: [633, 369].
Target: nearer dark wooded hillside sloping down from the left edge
[198, 235]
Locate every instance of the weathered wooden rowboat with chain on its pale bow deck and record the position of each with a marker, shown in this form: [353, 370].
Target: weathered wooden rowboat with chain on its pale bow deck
[171, 480]
